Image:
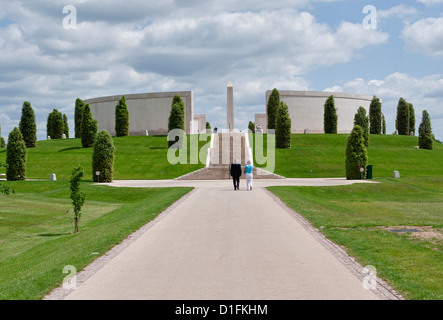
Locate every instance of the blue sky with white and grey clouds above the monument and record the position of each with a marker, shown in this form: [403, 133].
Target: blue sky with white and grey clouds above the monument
[54, 51]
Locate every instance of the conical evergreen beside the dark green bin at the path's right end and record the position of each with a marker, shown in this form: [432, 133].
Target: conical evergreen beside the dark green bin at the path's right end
[356, 155]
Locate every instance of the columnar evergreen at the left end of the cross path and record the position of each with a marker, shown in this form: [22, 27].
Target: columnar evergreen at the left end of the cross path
[103, 157]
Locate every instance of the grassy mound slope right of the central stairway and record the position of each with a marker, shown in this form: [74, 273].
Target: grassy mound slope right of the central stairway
[323, 156]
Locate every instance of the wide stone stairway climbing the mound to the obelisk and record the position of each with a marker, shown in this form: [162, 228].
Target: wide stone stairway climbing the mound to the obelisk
[225, 148]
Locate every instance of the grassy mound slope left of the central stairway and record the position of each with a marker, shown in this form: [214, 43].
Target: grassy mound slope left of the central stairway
[136, 157]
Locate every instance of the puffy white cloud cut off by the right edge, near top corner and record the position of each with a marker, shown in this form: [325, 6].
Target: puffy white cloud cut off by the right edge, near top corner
[425, 36]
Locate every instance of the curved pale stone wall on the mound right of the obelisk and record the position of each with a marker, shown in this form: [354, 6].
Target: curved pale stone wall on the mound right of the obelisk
[306, 109]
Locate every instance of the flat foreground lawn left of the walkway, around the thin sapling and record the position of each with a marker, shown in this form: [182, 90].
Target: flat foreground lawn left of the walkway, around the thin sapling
[36, 242]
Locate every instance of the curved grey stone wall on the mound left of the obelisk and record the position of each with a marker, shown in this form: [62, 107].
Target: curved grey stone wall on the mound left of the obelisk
[147, 111]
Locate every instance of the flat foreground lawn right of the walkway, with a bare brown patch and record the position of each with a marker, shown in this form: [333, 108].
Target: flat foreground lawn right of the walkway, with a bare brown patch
[353, 217]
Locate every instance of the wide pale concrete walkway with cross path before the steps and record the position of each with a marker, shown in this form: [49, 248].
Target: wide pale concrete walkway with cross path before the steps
[223, 244]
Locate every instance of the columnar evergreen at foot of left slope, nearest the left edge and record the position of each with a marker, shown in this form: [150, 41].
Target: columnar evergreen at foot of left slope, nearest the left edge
[16, 154]
